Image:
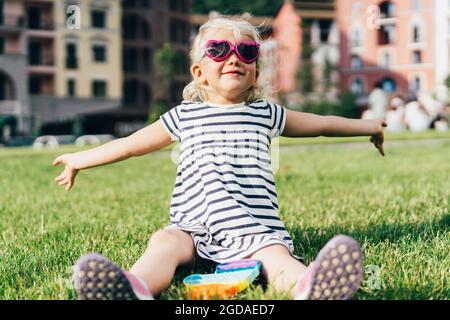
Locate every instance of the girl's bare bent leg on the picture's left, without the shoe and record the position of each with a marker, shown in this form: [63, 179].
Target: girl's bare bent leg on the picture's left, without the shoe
[167, 249]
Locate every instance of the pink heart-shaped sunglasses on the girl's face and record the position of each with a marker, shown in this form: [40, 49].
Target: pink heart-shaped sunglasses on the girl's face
[219, 50]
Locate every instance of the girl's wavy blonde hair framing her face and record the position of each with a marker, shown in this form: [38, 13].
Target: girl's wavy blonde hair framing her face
[195, 91]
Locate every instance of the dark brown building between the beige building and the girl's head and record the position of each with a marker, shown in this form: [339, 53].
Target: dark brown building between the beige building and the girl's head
[147, 25]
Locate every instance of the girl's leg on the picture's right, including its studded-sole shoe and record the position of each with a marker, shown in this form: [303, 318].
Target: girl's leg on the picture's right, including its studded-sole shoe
[336, 273]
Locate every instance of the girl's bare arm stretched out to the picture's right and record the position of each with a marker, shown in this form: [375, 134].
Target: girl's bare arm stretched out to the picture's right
[301, 124]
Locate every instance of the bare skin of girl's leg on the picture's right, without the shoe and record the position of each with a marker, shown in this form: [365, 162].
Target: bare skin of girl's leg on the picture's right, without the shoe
[279, 267]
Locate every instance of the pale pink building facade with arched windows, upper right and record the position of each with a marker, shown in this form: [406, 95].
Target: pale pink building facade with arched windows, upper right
[390, 43]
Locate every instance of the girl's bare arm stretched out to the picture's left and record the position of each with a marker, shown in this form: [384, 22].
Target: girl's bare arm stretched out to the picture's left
[146, 140]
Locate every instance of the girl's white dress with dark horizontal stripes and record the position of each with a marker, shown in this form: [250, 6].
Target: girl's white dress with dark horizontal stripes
[224, 193]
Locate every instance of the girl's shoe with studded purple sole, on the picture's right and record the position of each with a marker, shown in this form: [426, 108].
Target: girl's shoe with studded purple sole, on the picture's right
[337, 271]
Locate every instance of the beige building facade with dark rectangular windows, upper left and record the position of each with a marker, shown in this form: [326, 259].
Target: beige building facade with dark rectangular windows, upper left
[90, 60]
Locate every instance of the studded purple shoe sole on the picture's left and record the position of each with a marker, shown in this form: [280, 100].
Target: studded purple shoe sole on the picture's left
[97, 278]
